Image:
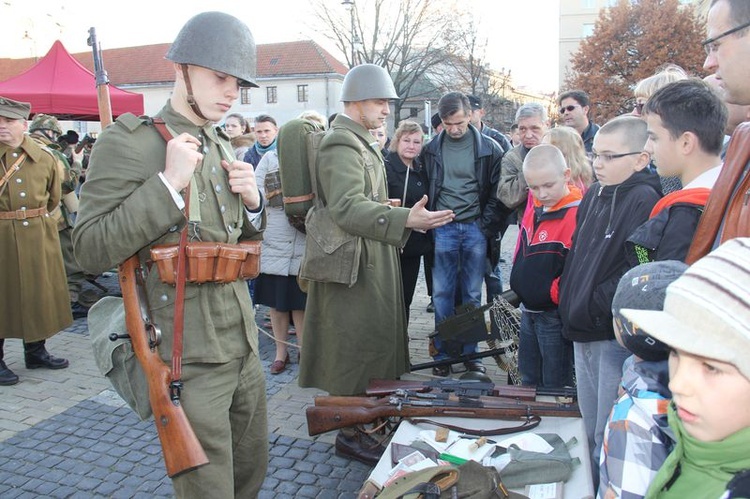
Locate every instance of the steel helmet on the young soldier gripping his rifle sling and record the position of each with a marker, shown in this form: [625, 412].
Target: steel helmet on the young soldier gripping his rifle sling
[217, 41]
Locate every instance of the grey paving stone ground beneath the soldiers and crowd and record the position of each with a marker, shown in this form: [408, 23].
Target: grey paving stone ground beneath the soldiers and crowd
[67, 434]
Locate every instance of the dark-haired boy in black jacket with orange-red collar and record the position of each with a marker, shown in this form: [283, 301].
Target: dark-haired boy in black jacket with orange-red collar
[686, 121]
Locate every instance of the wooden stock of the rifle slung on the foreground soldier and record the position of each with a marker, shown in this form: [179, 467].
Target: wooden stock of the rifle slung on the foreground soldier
[181, 449]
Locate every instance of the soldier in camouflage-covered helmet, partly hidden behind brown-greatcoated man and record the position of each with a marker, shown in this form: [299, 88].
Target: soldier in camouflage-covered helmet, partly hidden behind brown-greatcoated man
[45, 129]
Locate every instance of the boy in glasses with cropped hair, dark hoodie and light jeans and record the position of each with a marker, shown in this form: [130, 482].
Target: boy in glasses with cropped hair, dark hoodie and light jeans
[611, 209]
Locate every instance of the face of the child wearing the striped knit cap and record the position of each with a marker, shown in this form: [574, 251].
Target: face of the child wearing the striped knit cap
[712, 397]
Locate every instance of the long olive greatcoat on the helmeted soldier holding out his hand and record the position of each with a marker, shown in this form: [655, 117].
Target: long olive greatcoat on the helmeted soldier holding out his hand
[356, 333]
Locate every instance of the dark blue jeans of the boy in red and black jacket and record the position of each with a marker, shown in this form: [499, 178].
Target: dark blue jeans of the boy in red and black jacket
[545, 358]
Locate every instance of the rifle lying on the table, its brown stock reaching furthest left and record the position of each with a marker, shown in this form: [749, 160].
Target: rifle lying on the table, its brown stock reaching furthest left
[331, 413]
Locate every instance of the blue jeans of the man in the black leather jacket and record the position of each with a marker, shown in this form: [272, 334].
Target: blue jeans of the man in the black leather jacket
[460, 260]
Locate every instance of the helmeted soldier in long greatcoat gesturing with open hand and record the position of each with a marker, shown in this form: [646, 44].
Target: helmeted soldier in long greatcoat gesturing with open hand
[354, 333]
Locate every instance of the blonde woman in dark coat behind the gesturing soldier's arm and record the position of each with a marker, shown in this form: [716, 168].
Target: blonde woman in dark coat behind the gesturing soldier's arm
[407, 181]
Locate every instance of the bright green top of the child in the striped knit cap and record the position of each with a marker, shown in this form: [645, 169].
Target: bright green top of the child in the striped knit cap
[699, 469]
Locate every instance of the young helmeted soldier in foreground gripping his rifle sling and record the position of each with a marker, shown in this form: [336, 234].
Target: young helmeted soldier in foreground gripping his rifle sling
[142, 190]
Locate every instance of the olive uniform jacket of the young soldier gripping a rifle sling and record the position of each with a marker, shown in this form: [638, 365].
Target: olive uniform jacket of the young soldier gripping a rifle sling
[126, 208]
